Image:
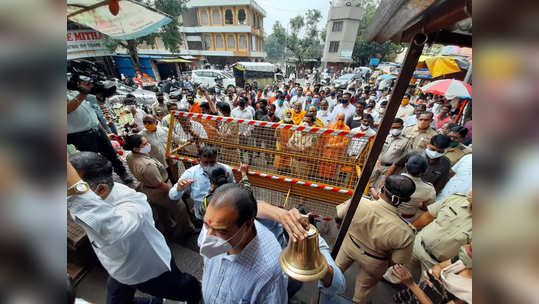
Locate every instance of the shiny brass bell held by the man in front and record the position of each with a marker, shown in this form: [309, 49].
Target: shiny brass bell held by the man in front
[302, 260]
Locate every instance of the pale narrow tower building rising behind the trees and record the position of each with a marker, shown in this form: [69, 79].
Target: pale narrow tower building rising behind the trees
[341, 32]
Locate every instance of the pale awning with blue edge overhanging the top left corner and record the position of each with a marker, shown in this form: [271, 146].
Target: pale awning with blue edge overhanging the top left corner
[133, 20]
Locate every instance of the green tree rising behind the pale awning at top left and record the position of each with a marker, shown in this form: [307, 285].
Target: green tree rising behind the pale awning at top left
[169, 34]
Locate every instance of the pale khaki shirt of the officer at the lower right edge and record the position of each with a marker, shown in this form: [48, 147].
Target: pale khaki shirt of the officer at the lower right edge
[451, 228]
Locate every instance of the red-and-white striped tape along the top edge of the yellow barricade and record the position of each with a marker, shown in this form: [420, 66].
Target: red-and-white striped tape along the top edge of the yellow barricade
[268, 124]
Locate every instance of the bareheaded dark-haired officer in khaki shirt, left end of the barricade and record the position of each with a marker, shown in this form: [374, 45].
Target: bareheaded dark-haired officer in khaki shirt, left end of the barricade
[152, 176]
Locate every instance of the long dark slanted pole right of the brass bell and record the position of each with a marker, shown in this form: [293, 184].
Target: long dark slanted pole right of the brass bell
[412, 57]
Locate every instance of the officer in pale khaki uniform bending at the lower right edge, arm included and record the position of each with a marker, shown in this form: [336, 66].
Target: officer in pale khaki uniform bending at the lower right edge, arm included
[447, 226]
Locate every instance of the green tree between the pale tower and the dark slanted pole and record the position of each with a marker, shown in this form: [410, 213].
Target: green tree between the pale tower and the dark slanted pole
[363, 51]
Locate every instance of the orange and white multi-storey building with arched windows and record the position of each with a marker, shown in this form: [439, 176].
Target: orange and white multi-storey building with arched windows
[224, 32]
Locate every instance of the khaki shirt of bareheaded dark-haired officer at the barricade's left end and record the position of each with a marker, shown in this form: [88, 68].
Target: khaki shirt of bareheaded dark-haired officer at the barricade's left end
[148, 171]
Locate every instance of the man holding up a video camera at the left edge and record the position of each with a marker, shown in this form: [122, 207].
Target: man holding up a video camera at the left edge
[83, 128]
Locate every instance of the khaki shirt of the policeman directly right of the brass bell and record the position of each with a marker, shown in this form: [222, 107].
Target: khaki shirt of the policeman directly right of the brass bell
[378, 230]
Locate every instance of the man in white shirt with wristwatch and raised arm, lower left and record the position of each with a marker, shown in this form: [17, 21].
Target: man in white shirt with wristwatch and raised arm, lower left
[120, 226]
